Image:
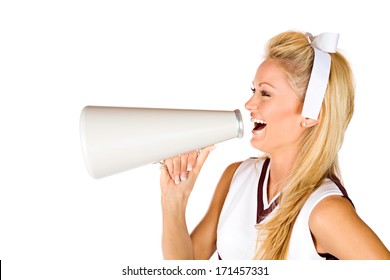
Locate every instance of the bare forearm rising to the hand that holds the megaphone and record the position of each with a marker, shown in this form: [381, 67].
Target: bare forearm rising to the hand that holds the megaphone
[176, 240]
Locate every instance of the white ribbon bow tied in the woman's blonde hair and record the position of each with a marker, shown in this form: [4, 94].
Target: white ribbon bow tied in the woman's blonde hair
[322, 44]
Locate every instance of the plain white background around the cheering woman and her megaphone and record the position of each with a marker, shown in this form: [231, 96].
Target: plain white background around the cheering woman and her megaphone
[56, 57]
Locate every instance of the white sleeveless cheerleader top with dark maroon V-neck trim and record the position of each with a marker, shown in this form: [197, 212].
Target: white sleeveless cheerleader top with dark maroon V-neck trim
[247, 204]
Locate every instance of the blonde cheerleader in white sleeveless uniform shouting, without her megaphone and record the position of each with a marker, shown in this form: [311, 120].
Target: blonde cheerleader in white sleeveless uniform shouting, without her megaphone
[291, 203]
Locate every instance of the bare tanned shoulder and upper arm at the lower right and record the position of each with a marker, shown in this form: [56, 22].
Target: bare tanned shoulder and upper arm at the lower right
[338, 230]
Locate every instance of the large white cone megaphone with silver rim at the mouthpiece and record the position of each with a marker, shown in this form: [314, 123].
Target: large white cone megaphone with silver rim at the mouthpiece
[115, 139]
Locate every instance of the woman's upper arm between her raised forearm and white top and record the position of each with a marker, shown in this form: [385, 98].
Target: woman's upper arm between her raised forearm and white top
[204, 236]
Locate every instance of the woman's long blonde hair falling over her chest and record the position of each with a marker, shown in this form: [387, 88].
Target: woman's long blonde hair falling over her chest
[320, 144]
